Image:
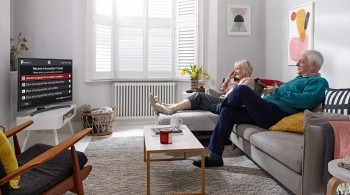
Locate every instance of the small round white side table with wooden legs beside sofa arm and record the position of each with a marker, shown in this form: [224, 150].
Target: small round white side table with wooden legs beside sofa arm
[340, 175]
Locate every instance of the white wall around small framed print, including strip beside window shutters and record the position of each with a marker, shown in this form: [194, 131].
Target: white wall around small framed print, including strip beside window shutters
[222, 50]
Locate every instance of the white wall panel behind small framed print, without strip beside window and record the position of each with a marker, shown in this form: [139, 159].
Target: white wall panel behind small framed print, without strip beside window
[233, 48]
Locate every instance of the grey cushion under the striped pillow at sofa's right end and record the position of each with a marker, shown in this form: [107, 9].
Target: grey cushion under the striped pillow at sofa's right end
[316, 118]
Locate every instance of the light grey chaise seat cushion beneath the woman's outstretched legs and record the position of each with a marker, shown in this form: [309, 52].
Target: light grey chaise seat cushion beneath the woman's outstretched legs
[196, 120]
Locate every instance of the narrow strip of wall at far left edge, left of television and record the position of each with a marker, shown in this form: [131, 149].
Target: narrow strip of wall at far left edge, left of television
[5, 63]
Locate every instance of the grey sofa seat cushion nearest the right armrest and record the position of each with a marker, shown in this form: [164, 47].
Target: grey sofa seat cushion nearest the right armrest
[283, 146]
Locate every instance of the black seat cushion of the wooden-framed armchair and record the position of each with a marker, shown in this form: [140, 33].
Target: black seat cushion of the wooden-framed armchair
[49, 174]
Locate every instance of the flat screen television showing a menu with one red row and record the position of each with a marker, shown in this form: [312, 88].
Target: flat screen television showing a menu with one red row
[43, 82]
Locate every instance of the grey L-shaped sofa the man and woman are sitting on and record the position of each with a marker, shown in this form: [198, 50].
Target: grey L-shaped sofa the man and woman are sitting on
[295, 160]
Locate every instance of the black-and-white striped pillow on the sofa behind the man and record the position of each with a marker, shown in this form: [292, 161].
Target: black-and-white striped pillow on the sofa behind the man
[337, 101]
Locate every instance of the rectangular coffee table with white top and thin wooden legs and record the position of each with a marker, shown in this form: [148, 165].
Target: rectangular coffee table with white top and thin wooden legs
[183, 143]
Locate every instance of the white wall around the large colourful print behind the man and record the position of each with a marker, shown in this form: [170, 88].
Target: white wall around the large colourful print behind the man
[330, 38]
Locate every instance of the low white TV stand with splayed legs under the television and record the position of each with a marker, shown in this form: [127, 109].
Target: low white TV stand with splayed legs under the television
[48, 120]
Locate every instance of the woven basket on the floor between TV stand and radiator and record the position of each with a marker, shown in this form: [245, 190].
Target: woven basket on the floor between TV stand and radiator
[101, 123]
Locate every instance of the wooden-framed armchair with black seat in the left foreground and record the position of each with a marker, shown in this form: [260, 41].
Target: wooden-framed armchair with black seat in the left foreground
[46, 160]
